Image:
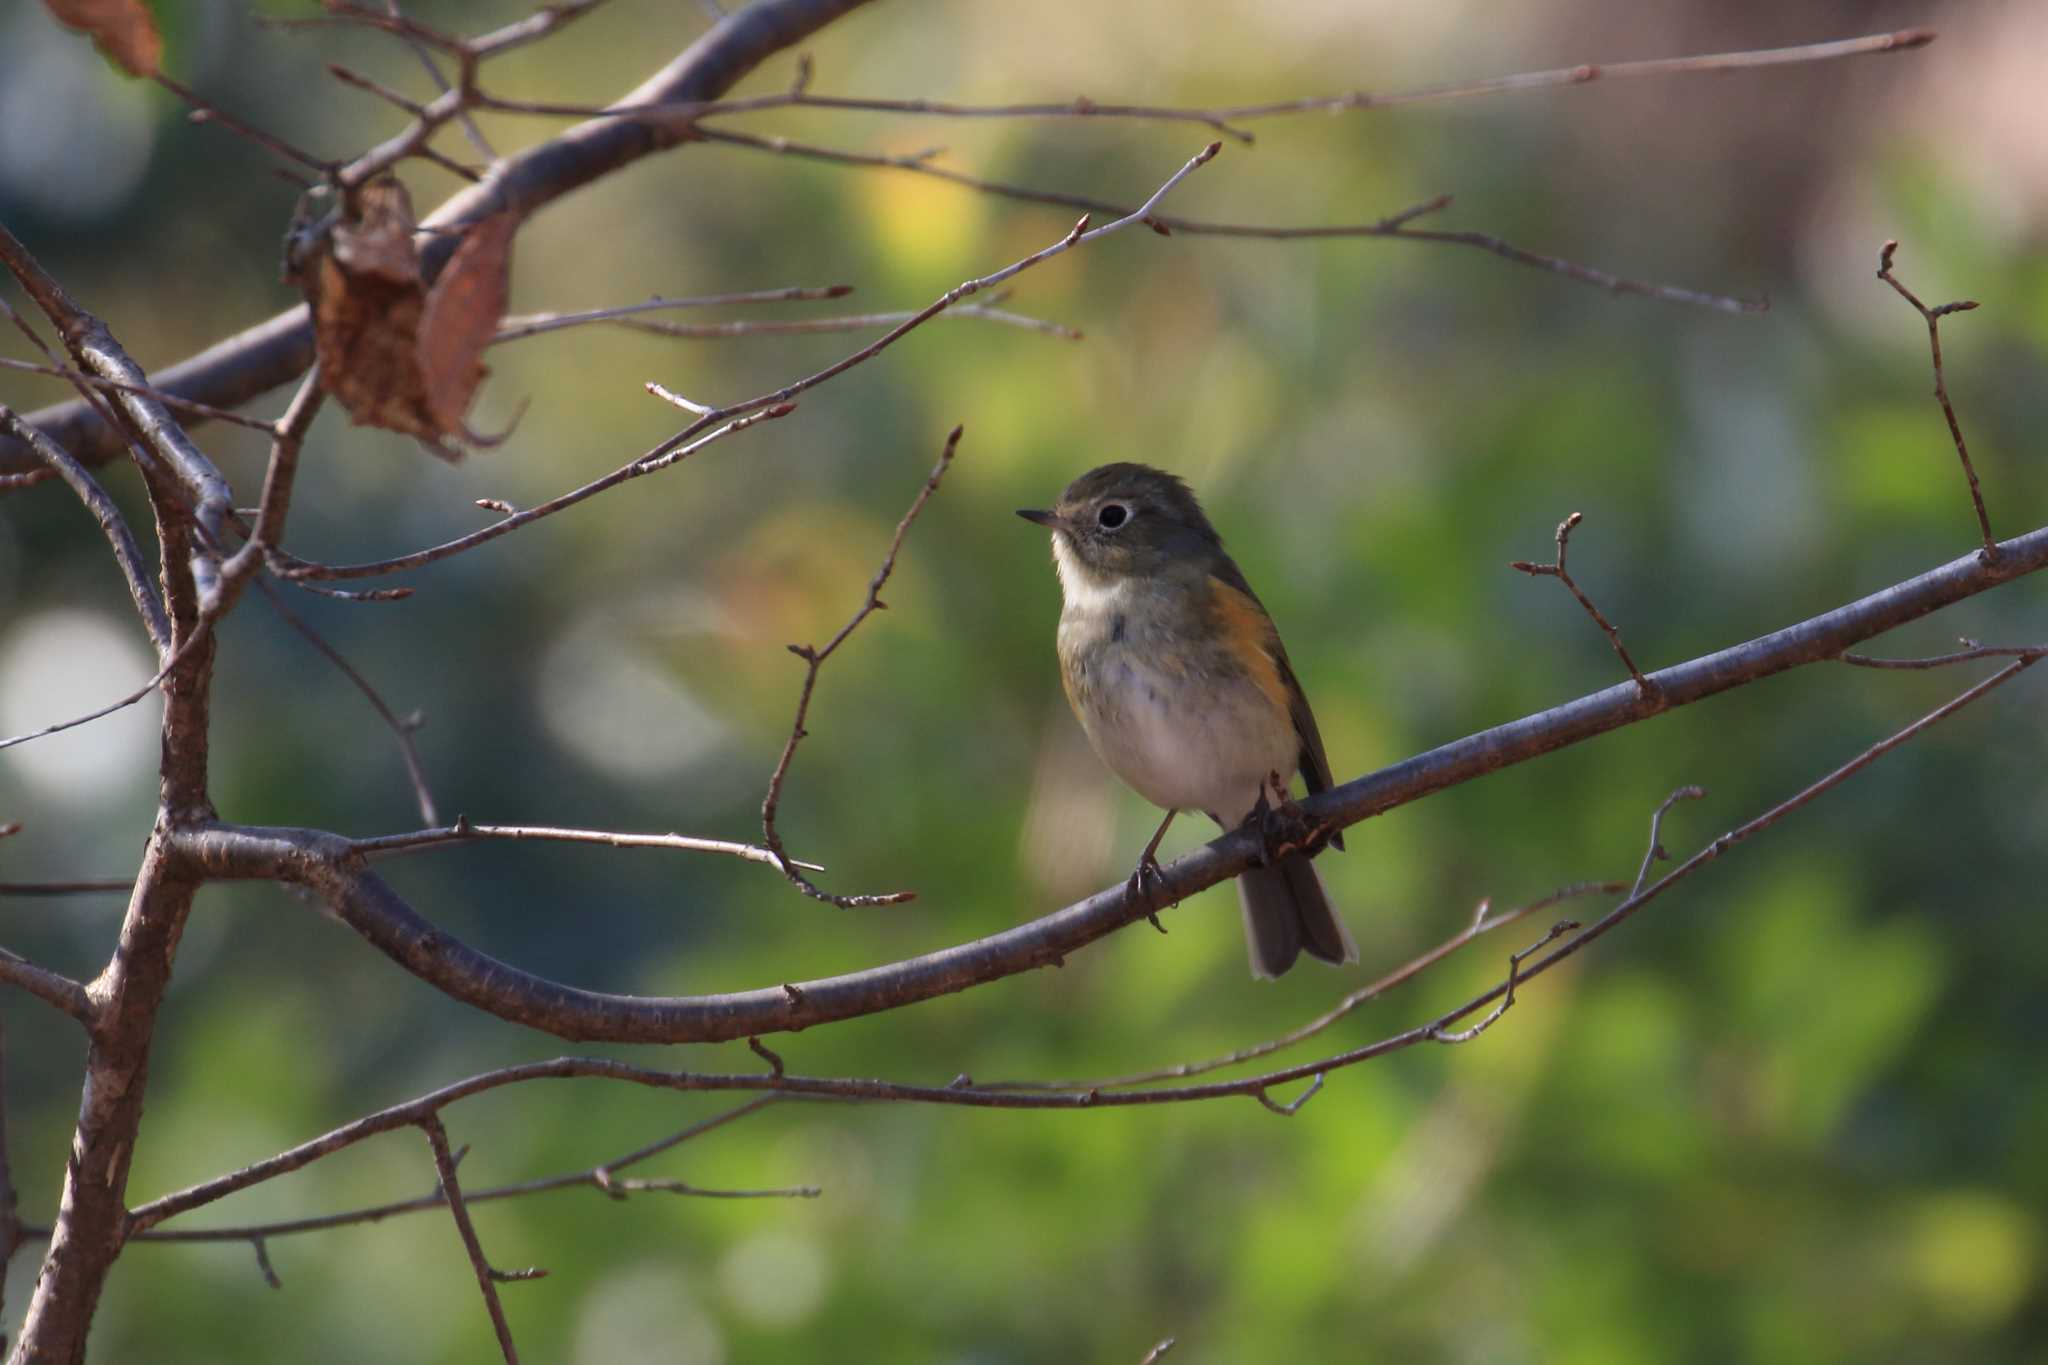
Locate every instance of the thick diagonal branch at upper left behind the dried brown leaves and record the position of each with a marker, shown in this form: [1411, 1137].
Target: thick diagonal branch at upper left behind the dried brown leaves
[282, 349]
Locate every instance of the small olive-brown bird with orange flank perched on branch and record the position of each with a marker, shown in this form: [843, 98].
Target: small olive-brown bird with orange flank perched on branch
[1181, 680]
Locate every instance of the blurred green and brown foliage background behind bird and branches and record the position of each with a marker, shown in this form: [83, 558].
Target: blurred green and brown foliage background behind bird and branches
[1791, 1114]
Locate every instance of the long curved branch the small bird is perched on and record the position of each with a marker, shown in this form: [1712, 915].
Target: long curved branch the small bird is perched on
[333, 869]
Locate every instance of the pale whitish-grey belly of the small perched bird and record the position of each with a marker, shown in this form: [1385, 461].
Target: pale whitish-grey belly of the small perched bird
[1185, 740]
